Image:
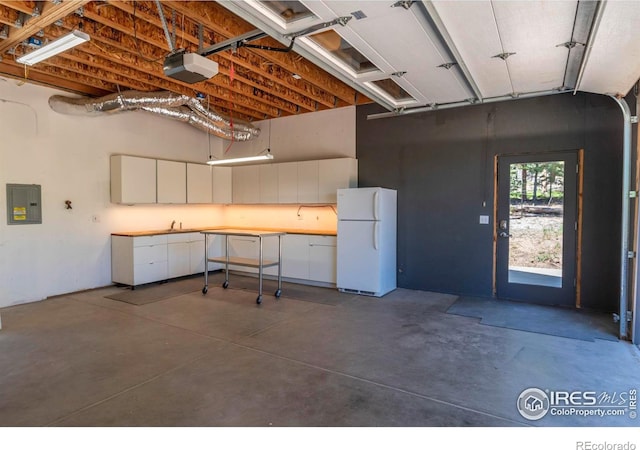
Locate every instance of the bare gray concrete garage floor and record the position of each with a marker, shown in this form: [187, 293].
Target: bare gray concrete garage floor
[221, 360]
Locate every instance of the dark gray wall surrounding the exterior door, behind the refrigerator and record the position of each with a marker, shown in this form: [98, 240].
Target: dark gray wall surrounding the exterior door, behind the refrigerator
[441, 163]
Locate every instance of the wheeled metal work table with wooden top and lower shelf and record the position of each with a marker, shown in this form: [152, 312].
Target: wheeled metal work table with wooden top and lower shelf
[259, 263]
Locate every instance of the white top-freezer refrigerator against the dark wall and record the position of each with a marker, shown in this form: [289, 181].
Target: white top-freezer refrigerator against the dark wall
[367, 229]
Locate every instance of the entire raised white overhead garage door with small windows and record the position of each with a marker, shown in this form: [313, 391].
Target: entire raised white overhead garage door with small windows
[546, 39]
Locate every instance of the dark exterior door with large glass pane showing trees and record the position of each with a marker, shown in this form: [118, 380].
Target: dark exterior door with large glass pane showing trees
[536, 228]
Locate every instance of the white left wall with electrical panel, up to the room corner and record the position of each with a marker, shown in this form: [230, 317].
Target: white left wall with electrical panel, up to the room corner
[69, 157]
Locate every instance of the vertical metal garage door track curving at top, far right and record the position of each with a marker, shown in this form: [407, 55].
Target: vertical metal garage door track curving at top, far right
[626, 183]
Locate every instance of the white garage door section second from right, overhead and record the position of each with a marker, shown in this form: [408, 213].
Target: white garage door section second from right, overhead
[534, 31]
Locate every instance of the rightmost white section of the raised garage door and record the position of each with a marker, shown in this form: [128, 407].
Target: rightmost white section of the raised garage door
[614, 63]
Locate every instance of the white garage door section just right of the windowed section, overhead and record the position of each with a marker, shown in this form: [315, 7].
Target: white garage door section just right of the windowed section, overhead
[472, 26]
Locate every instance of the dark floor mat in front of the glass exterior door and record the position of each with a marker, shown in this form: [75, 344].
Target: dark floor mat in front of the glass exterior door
[555, 321]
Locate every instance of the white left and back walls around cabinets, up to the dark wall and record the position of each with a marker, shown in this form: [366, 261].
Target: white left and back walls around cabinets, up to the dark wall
[69, 157]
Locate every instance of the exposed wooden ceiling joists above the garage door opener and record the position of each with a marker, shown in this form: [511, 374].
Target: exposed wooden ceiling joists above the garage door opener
[128, 47]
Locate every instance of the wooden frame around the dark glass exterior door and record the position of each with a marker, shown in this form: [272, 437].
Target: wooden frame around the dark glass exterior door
[579, 185]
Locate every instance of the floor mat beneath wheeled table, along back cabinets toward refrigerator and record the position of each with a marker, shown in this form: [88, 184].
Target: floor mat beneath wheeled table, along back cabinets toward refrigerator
[315, 294]
